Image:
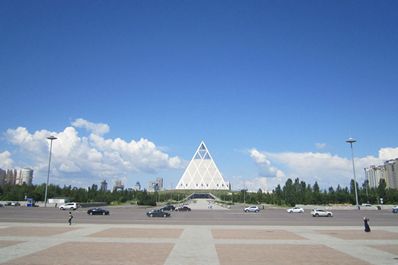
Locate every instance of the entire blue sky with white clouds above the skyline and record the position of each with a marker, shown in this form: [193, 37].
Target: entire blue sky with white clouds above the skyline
[131, 88]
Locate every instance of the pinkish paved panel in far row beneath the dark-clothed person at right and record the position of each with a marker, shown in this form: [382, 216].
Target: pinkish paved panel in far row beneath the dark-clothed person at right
[360, 234]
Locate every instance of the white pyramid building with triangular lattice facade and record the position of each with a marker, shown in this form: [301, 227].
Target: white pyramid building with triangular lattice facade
[202, 173]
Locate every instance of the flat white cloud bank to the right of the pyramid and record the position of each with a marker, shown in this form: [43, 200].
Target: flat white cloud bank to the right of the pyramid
[325, 168]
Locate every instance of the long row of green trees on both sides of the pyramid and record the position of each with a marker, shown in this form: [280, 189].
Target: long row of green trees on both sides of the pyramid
[291, 193]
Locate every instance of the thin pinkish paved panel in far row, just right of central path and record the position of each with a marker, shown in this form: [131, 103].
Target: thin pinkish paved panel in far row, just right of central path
[266, 234]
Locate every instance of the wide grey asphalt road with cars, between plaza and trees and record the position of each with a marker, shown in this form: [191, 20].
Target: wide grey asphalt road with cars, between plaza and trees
[234, 216]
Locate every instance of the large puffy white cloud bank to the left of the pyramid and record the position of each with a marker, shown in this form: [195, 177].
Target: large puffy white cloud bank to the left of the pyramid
[92, 156]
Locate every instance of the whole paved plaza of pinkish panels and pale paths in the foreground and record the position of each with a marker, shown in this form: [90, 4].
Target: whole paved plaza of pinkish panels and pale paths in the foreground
[83, 244]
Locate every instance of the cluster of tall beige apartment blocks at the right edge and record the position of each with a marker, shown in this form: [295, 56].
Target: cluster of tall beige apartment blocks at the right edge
[388, 171]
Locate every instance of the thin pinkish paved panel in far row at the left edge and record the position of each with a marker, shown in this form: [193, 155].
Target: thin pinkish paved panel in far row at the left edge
[34, 231]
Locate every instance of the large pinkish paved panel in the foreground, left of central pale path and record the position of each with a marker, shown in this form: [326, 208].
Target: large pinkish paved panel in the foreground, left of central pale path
[78, 253]
